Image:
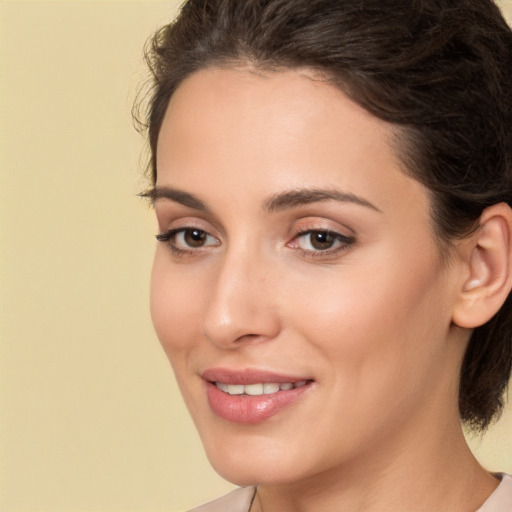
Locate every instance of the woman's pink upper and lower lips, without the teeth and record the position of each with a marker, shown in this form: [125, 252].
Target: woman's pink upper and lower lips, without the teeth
[247, 409]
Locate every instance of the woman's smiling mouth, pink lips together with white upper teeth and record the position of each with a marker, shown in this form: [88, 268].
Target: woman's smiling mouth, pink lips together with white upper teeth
[250, 397]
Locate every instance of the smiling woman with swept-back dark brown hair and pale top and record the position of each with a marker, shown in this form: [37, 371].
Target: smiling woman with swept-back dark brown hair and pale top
[332, 182]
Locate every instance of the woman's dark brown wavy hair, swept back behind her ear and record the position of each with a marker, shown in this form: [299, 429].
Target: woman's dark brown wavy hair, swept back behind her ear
[440, 71]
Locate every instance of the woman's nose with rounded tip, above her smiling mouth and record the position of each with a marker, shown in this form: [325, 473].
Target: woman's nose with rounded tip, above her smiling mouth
[241, 305]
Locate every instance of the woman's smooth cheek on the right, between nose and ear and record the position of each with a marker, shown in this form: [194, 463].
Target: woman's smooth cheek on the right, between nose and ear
[378, 323]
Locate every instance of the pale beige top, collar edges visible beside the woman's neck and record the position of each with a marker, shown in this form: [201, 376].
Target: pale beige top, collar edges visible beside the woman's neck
[240, 499]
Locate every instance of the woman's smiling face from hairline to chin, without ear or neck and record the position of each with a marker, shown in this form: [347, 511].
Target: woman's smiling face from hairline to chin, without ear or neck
[297, 288]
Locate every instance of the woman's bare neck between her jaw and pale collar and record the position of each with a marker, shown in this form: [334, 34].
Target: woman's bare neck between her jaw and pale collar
[432, 473]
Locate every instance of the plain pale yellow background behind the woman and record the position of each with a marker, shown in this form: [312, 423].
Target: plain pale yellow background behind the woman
[90, 417]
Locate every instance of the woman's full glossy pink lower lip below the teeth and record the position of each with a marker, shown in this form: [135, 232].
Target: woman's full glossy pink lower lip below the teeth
[251, 409]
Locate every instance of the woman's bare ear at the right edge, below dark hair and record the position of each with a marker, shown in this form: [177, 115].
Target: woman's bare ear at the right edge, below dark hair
[488, 277]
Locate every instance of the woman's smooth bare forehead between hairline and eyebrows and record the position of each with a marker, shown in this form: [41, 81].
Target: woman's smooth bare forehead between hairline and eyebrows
[281, 130]
